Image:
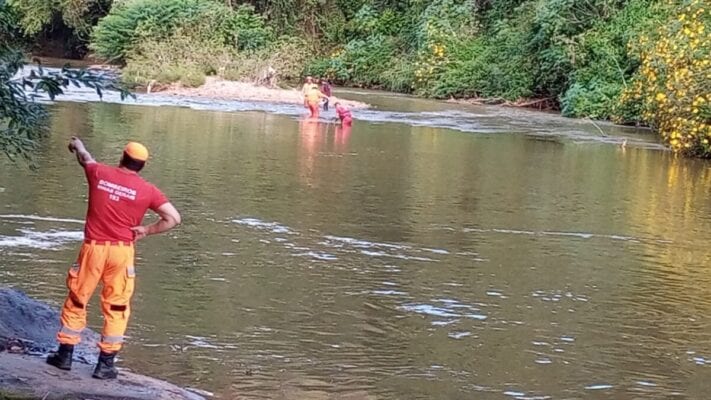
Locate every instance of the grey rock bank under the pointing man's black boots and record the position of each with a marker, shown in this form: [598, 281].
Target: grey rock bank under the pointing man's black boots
[27, 330]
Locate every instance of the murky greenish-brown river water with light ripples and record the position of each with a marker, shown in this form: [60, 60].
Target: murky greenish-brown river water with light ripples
[435, 251]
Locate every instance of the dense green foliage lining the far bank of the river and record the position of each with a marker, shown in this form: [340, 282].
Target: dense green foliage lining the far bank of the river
[590, 58]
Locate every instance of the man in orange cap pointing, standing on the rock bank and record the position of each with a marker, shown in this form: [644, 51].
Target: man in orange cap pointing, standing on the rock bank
[118, 201]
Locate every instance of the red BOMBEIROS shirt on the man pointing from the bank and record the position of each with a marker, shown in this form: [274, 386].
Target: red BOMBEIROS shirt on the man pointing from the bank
[118, 200]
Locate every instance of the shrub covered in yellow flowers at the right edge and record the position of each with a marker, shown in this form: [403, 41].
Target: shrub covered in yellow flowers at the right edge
[672, 88]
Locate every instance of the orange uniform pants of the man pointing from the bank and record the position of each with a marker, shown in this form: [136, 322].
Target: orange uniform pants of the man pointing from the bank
[112, 265]
